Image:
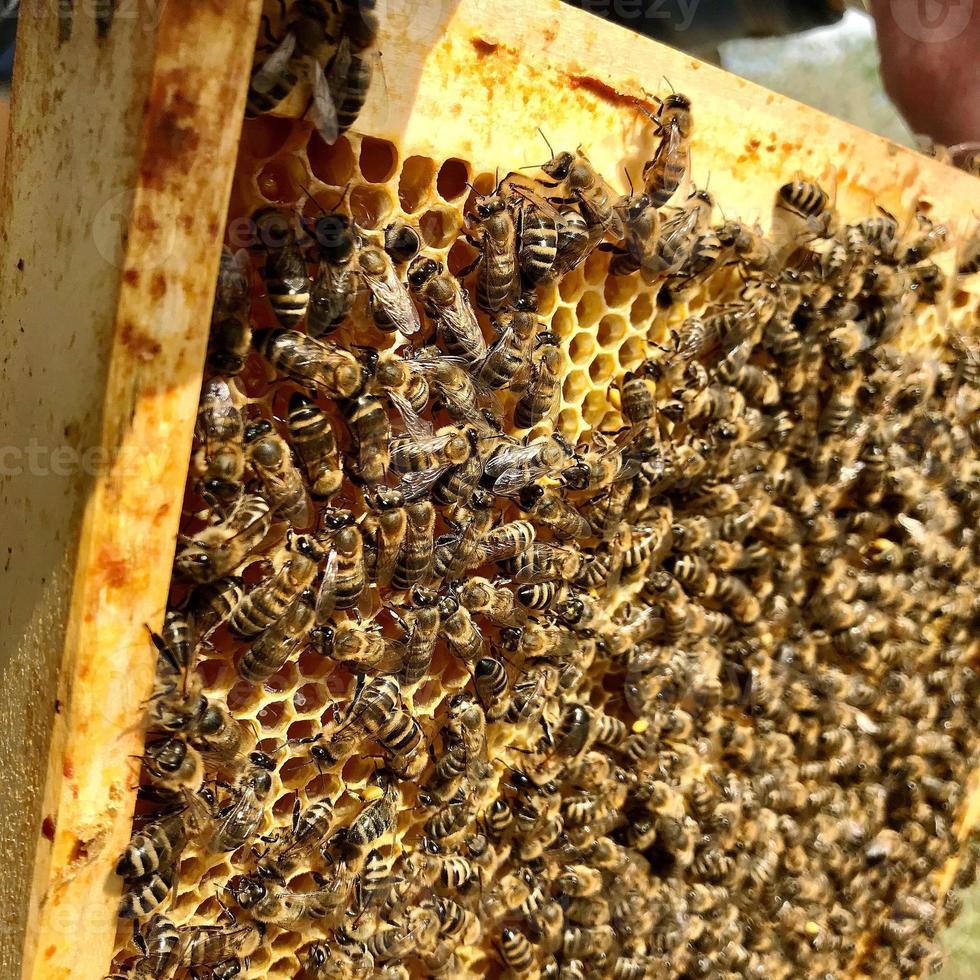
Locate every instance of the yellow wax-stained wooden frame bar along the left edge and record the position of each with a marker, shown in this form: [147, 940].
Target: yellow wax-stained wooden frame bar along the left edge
[119, 164]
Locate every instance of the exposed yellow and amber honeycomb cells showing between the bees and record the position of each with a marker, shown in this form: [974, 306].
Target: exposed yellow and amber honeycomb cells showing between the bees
[608, 326]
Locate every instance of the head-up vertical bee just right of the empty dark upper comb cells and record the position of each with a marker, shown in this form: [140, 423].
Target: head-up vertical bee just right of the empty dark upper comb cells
[498, 280]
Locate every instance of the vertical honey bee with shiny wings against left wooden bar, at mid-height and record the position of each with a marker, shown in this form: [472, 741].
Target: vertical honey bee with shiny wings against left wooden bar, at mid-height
[219, 462]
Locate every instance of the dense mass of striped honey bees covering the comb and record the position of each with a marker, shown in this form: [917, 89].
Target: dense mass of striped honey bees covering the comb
[692, 698]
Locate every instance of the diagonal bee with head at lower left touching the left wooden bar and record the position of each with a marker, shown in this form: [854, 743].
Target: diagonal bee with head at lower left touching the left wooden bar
[217, 550]
